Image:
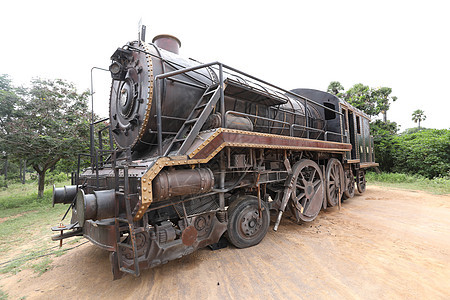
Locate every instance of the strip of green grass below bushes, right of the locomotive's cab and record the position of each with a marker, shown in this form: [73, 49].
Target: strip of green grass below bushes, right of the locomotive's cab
[440, 186]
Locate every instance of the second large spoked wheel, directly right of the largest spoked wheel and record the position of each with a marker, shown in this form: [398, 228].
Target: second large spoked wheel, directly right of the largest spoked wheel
[334, 181]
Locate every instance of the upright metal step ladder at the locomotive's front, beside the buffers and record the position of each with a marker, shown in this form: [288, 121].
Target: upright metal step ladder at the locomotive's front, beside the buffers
[128, 222]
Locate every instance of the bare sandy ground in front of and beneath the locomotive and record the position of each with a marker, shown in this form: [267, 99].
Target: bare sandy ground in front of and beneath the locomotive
[388, 243]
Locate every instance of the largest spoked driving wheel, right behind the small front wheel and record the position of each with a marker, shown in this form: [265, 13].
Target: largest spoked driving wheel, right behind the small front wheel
[308, 190]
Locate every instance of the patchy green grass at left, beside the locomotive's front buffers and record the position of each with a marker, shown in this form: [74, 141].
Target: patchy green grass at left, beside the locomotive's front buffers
[26, 220]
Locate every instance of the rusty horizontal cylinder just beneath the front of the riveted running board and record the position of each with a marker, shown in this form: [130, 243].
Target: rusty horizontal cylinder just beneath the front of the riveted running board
[174, 183]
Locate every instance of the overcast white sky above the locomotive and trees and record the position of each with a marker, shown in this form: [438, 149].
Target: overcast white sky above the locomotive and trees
[404, 45]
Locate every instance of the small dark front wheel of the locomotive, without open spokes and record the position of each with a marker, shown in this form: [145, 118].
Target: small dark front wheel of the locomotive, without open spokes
[245, 227]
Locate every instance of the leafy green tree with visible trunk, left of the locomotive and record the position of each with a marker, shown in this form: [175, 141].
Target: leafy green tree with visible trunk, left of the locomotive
[49, 124]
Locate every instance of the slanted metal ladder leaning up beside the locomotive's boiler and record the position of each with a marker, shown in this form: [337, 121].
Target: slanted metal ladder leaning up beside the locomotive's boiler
[195, 121]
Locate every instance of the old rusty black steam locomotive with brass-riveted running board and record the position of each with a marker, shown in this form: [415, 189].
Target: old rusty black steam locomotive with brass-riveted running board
[200, 151]
